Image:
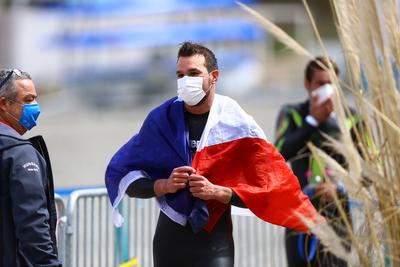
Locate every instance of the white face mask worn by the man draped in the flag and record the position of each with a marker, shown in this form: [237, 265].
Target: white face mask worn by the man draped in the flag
[190, 90]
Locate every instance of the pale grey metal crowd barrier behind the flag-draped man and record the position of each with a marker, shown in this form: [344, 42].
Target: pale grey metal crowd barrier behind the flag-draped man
[87, 237]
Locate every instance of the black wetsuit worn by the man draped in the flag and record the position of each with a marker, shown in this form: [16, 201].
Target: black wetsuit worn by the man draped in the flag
[178, 246]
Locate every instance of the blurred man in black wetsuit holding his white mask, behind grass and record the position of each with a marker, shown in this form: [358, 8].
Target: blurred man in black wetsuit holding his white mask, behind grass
[297, 125]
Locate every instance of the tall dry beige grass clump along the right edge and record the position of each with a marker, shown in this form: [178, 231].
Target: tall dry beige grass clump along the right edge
[369, 32]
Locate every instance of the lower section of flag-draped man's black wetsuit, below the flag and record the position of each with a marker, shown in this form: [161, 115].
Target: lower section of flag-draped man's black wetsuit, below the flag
[178, 246]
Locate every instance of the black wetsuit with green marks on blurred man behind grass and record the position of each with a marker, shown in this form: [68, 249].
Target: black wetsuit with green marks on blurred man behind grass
[293, 132]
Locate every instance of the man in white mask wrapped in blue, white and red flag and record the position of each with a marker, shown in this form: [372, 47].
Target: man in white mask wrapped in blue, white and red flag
[198, 154]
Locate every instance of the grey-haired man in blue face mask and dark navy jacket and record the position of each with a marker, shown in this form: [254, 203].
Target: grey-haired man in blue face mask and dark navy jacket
[28, 217]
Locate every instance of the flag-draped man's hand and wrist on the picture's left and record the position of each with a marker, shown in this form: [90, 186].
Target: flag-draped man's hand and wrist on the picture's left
[178, 179]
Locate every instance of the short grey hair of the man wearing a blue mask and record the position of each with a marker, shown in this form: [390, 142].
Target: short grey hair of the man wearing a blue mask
[8, 89]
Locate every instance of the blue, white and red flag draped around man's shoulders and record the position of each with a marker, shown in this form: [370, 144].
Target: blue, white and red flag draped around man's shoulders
[232, 152]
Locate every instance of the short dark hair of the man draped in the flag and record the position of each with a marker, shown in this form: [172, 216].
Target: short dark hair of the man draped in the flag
[189, 49]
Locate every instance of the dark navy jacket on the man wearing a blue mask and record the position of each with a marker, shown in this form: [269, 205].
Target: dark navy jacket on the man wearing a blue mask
[27, 210]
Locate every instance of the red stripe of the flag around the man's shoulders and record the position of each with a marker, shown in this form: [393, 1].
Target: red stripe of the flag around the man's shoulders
[259, 175]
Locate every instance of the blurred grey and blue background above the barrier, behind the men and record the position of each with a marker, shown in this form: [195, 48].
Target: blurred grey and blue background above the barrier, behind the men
[100, 65]
